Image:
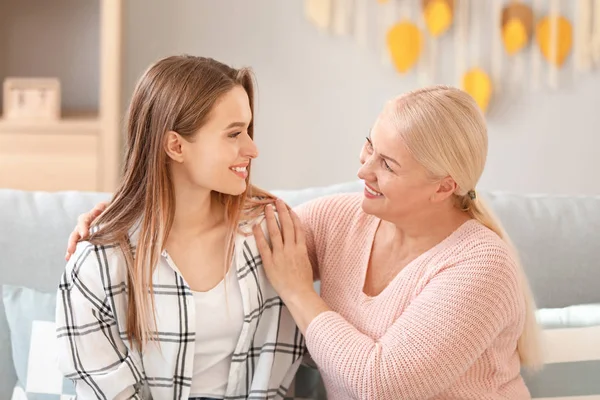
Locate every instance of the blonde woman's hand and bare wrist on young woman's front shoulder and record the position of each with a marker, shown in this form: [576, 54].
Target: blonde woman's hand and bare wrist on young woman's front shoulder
[287, 264]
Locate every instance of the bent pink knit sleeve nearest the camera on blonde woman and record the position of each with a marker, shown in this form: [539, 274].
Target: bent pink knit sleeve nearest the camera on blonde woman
[447, 326]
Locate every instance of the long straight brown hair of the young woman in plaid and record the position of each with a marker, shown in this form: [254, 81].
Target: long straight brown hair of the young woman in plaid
[175, 94]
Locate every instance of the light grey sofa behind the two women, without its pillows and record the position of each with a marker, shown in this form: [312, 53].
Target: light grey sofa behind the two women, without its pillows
[558, 238]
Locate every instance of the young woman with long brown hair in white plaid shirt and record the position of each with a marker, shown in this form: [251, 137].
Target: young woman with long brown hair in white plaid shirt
[167, 298]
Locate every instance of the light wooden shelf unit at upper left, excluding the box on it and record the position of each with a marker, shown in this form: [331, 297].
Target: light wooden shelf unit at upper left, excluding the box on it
[79, 151]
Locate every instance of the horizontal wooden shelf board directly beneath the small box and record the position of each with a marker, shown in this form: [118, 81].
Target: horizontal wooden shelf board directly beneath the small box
[81, 123]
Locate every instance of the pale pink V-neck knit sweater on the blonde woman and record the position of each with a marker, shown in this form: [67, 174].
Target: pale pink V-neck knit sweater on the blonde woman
[446, 327]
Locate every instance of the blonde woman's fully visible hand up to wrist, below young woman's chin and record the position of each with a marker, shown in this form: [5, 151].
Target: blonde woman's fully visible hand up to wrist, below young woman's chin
[286, 261]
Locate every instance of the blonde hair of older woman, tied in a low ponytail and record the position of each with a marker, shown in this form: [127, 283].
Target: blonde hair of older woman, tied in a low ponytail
[445, 131]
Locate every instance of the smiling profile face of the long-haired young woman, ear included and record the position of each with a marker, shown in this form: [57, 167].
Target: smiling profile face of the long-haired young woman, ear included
[217, 157]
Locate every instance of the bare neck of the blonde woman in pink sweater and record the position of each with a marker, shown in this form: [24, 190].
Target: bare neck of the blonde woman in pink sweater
[421, 231]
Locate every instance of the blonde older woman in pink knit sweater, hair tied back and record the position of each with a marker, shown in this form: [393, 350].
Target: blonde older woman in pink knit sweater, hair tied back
[422, 295]
